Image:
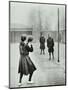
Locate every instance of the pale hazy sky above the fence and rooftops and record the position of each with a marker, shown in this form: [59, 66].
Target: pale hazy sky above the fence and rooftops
[28, 14]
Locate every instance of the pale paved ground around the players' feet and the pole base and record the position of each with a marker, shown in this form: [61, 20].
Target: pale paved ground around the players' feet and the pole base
[47, 73]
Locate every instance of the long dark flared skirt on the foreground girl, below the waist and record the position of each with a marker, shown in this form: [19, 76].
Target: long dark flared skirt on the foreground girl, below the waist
[26, 66]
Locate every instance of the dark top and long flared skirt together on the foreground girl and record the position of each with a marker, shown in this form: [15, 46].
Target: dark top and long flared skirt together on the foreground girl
[26, 66]
